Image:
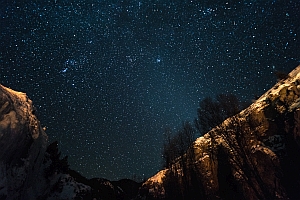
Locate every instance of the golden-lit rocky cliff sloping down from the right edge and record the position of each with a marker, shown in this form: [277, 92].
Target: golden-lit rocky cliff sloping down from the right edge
[253, 155]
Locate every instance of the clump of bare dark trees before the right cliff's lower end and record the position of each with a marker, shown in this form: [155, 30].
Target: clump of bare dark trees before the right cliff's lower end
[183, 179]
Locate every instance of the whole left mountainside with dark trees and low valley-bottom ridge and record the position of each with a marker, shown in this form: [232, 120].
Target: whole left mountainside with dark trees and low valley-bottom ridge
[32, 169]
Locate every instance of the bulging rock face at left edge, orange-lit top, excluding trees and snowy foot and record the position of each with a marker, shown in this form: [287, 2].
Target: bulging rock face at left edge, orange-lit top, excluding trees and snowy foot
[23, 144]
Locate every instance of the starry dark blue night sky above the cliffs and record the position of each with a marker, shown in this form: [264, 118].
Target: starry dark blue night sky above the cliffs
[107, 77]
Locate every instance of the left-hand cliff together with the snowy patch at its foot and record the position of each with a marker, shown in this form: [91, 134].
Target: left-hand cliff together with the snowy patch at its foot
[23, 156]
